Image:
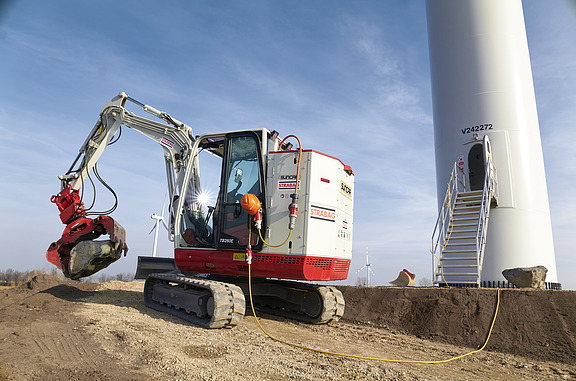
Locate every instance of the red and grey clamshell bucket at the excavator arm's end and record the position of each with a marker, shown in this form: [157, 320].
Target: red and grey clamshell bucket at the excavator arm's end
[78, 255]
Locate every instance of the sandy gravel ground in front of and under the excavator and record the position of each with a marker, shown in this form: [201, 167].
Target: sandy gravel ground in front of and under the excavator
[53, 331]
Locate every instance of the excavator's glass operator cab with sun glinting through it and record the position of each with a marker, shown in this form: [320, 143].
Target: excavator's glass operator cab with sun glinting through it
[212, 216]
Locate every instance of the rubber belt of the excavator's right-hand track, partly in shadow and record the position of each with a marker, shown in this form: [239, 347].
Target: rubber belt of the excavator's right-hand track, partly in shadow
[332, 304]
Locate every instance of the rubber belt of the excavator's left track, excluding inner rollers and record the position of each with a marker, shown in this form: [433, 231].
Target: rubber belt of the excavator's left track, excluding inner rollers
[229, 302]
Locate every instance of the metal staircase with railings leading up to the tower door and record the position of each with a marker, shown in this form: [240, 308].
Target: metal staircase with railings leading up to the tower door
[460, 234]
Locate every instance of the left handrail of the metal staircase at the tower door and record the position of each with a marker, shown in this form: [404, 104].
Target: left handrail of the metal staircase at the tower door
[441, 234]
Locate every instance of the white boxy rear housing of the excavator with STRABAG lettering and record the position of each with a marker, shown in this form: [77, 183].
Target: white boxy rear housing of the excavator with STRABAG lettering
[324, 224]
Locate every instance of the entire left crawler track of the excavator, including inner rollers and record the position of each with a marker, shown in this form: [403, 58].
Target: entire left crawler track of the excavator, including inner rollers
[203, 302]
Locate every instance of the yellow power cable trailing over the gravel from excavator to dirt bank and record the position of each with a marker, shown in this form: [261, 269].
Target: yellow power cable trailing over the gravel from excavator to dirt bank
[364, 357]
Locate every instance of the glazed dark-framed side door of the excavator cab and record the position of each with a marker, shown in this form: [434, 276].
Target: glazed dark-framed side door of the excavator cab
[242, 173]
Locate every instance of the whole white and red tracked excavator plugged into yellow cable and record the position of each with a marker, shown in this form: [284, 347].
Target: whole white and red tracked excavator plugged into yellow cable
[263, 220]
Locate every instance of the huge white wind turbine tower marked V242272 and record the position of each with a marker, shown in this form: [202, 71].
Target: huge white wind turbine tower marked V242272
[482, 84]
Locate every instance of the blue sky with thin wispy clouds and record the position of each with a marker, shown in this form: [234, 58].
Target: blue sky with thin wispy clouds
[351, 79]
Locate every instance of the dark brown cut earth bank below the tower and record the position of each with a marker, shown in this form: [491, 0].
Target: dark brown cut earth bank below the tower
[530, 323]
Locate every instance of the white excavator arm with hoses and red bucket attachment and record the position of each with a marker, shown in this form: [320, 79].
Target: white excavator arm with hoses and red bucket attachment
[77, 253]
